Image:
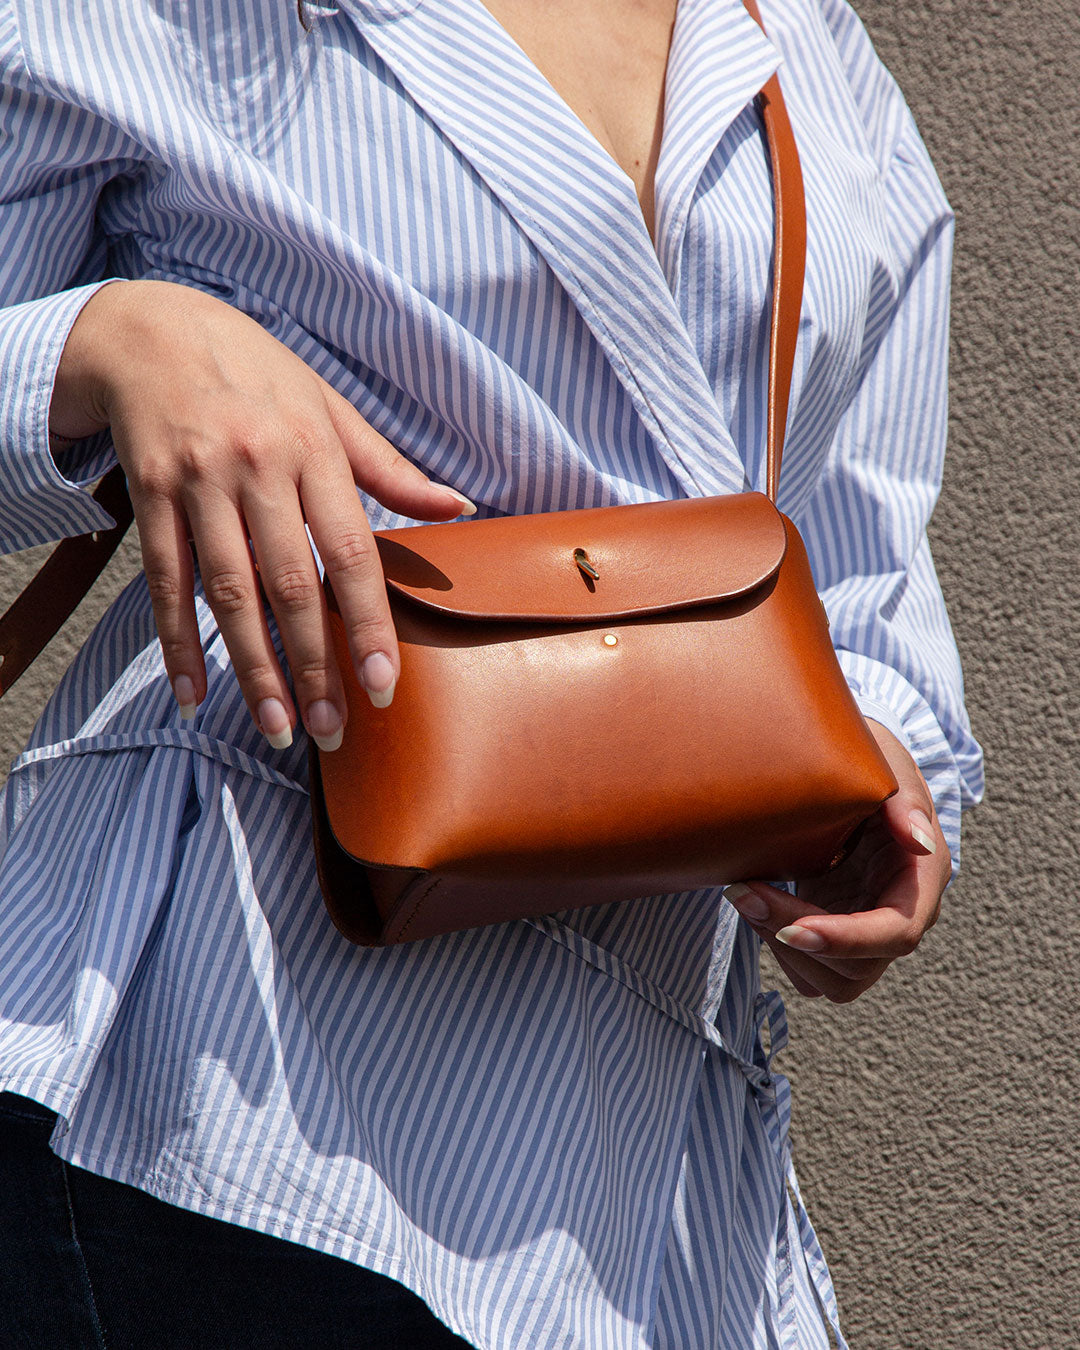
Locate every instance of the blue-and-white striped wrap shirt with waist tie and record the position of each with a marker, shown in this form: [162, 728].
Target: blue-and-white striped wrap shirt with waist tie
[566, 1132]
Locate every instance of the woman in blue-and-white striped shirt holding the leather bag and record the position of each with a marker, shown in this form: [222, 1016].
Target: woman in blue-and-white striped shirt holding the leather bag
[430, 249]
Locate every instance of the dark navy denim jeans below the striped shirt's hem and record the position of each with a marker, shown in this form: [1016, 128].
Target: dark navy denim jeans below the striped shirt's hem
[91, 1264]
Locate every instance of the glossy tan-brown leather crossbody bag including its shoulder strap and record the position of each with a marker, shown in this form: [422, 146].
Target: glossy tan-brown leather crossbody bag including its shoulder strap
[593, 705]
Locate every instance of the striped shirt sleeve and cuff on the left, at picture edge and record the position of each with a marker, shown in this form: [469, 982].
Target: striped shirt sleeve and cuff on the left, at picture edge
[55, 161]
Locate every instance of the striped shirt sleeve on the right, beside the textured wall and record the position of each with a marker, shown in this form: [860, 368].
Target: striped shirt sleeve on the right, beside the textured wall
[866, 522]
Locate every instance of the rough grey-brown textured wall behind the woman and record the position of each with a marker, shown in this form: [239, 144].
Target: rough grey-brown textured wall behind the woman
[935, 1121]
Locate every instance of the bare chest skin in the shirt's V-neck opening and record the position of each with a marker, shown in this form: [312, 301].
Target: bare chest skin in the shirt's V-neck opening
[607, 60]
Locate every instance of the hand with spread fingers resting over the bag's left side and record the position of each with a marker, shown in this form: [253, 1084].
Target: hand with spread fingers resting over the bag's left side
[227, 437]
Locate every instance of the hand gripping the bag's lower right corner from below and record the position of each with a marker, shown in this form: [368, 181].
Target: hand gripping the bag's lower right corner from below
[840, 934]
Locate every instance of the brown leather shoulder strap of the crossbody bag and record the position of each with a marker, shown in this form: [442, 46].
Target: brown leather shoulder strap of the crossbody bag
[43, 610]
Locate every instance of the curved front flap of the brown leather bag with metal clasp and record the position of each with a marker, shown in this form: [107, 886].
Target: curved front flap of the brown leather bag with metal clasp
[649, 558]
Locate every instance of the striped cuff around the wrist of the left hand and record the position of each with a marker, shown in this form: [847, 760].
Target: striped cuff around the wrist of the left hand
[38, 503]
